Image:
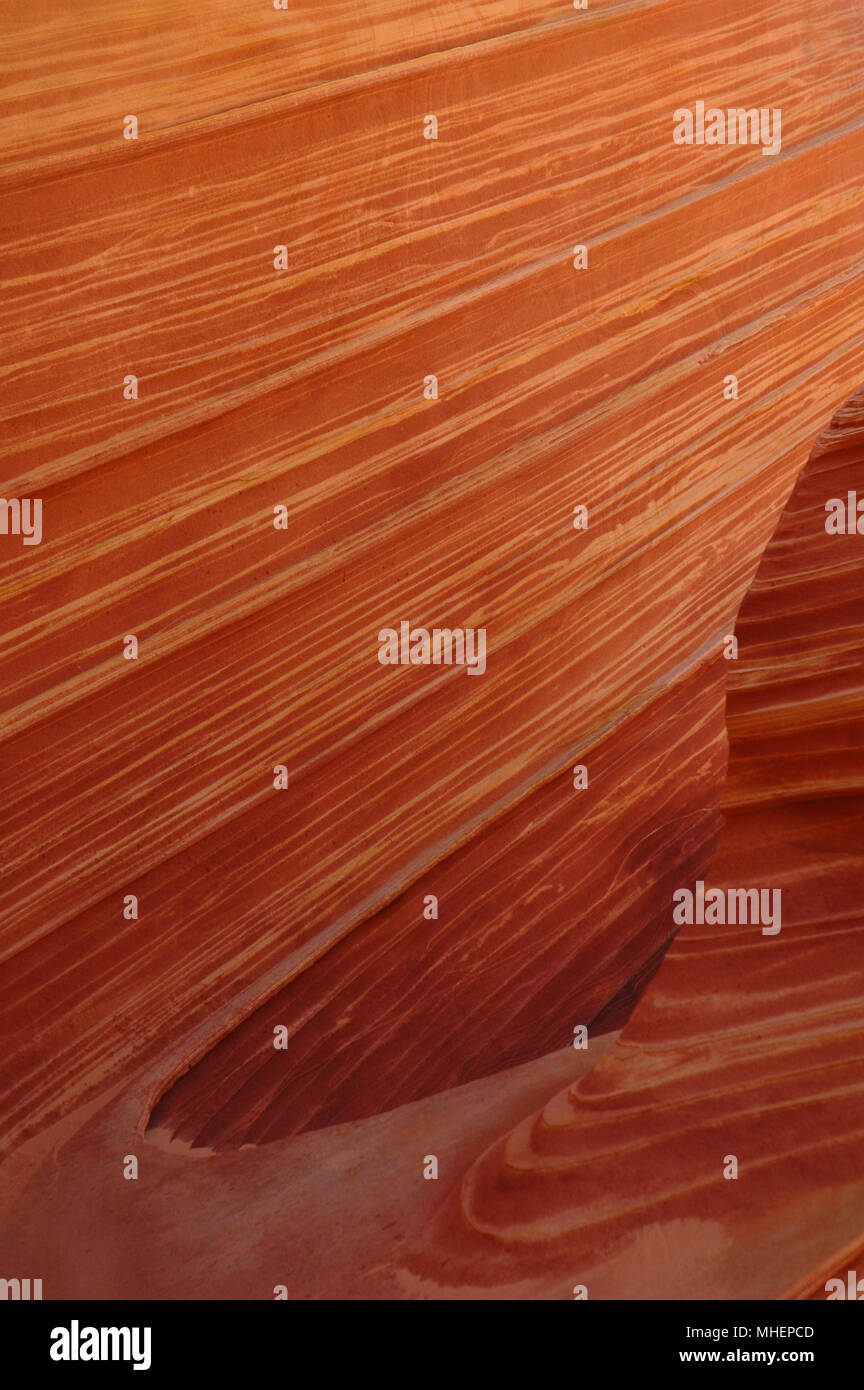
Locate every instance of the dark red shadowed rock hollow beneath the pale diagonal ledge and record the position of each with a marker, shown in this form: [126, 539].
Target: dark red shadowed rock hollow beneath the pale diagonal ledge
[362, 1033]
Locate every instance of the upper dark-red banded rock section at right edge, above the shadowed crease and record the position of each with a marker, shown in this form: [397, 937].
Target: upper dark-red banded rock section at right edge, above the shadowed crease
[794, 707]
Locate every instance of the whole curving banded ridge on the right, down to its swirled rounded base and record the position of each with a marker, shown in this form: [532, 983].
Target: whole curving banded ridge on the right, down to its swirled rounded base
[745, 1045]
